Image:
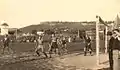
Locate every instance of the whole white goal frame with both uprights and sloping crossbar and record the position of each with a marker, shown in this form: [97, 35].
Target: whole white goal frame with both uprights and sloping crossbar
[98, 21]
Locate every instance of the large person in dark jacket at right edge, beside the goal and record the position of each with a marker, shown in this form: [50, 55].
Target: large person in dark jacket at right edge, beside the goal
[114, 43]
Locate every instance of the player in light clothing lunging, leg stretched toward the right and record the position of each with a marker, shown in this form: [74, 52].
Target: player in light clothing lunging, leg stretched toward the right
[39, 46]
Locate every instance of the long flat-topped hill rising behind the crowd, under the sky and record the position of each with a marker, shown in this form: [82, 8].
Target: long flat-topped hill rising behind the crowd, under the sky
[60, 25]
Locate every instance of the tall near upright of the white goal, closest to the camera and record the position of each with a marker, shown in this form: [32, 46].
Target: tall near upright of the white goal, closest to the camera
[97, 40]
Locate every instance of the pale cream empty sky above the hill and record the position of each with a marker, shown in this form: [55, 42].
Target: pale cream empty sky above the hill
[21, 13]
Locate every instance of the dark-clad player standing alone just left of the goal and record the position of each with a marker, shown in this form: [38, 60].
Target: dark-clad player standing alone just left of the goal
[87, 45]
